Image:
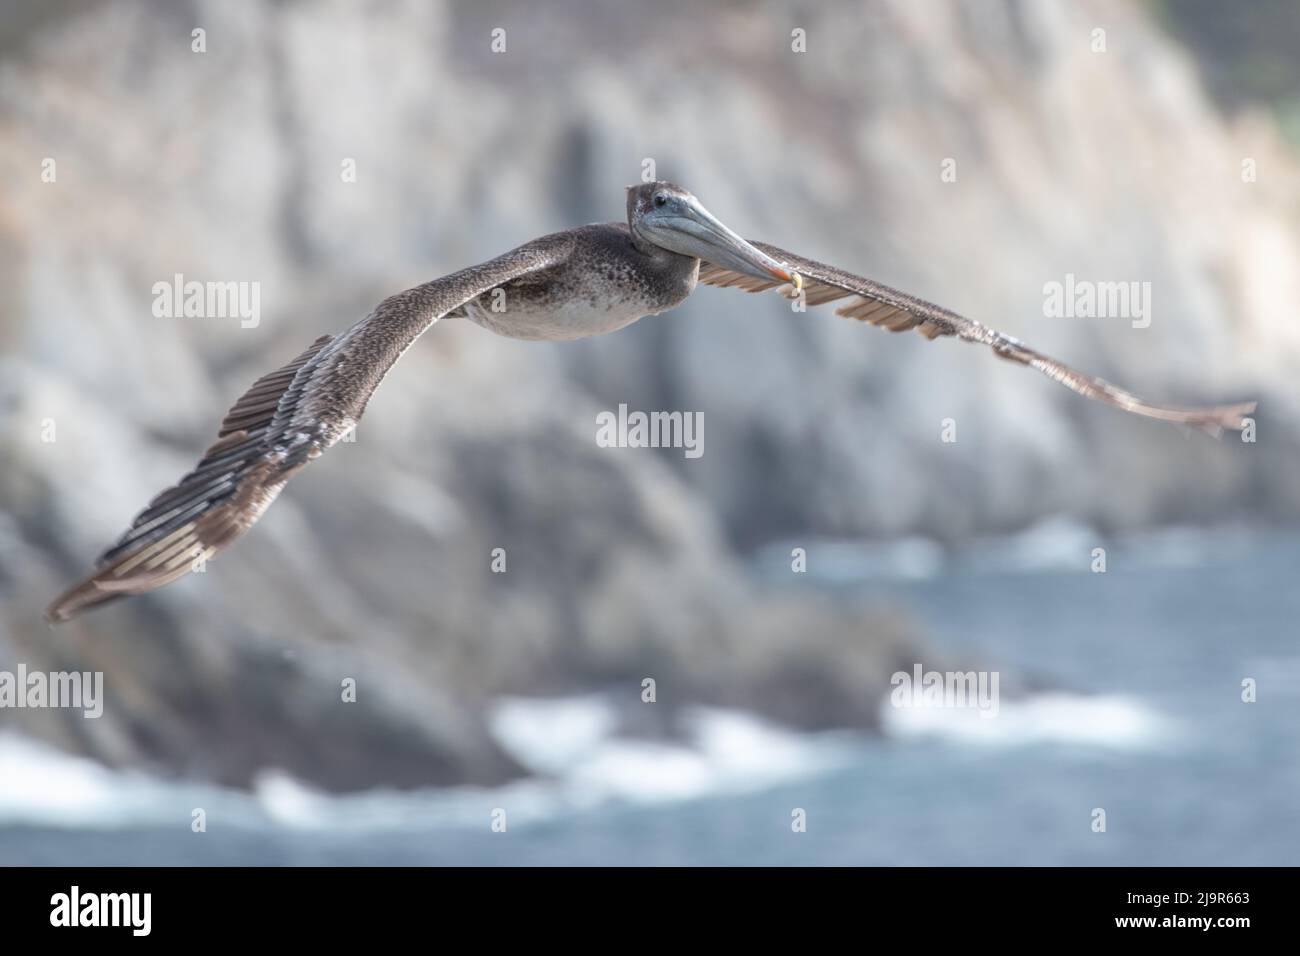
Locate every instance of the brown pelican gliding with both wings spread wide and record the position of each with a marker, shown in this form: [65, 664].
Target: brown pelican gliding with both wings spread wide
[580, 283]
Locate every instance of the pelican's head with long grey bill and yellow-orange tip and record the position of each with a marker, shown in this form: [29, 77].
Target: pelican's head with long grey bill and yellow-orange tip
[671, 218]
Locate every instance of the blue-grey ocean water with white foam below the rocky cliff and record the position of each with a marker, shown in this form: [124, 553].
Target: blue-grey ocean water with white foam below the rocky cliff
[1134, 707]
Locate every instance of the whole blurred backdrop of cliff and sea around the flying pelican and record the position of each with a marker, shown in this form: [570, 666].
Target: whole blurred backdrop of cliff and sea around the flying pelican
[1151, 142]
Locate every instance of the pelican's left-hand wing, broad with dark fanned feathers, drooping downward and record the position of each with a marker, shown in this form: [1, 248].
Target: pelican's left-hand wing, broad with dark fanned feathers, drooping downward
[287, 419]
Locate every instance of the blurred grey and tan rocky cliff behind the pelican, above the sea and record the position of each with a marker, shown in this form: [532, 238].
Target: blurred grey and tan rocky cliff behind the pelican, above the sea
[227, 165]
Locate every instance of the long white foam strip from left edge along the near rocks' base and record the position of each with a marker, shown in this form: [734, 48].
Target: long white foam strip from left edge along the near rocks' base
[570, 743]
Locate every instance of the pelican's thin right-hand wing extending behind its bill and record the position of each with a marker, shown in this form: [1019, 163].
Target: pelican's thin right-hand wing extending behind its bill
[898, 312]
